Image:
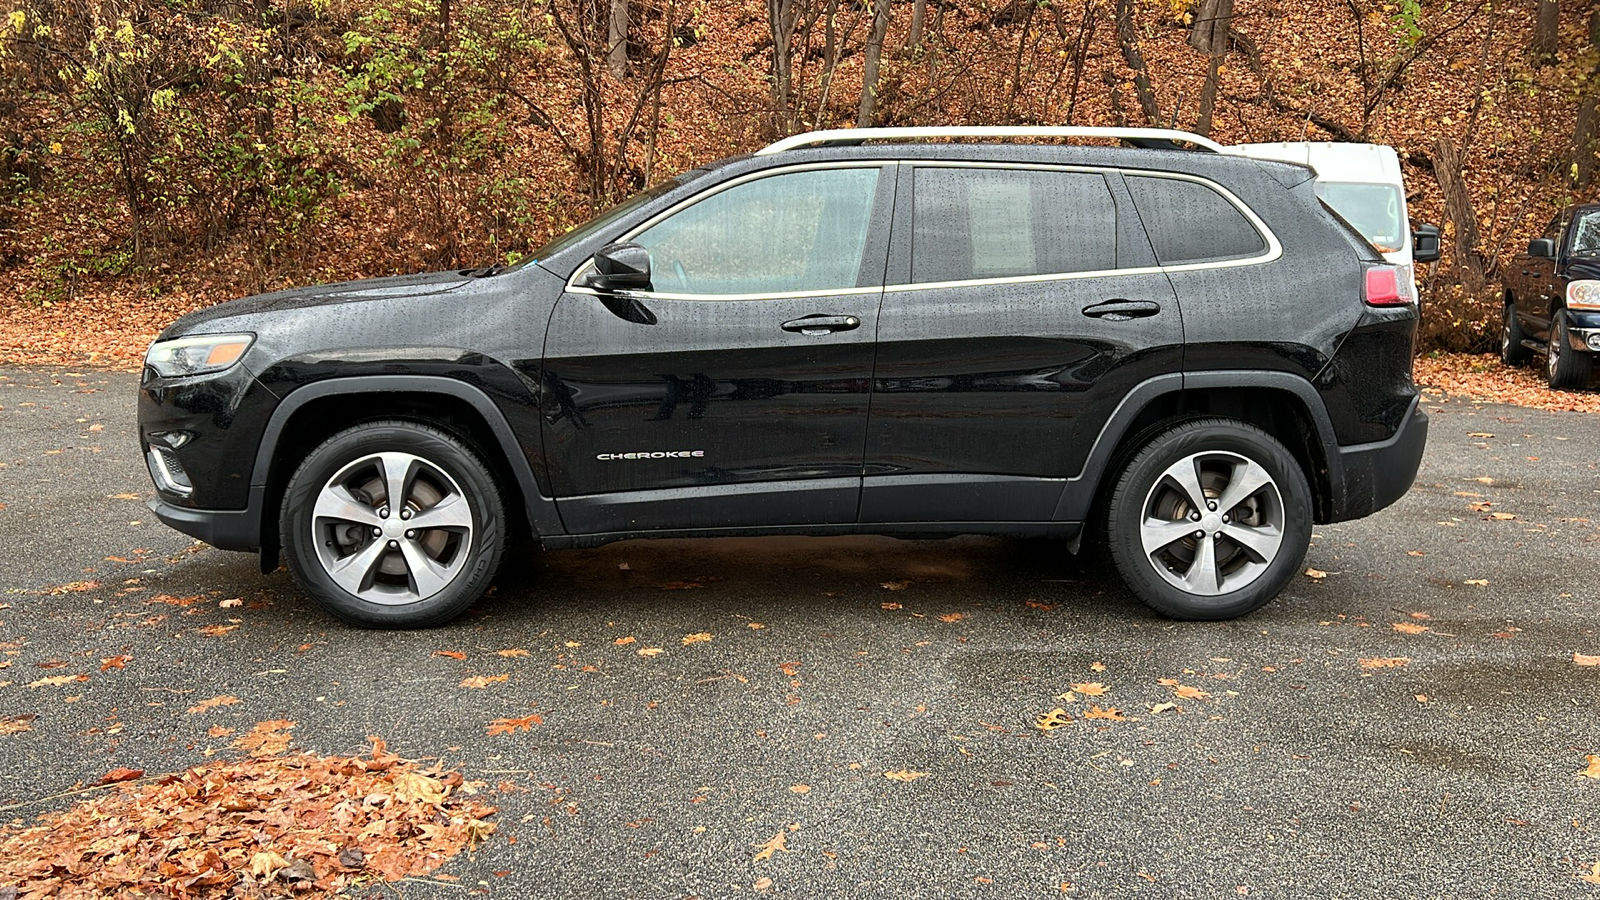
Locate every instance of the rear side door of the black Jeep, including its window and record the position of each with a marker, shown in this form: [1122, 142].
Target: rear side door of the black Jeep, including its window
[1023, 305]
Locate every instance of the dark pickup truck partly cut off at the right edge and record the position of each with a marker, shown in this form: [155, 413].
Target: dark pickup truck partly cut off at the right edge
[1553, 300]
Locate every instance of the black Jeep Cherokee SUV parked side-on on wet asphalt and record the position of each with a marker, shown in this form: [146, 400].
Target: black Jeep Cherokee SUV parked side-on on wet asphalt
[1180, 352]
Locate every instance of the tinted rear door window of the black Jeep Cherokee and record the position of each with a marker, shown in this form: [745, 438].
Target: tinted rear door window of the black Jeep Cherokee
[996, 223]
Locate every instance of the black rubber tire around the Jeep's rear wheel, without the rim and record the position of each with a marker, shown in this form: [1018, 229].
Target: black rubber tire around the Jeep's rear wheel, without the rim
[1127, 508]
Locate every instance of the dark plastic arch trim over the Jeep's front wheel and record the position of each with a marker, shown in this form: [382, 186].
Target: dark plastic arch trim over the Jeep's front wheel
[540, 510]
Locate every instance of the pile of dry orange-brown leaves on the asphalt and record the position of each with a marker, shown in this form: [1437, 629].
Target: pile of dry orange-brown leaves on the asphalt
[262, 827]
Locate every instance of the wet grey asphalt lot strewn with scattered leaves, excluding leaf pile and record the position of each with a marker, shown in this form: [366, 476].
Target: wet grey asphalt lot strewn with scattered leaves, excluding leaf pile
[1444, 766]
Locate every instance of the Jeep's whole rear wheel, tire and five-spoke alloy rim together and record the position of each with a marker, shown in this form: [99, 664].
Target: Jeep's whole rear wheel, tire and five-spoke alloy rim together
[1153, 521]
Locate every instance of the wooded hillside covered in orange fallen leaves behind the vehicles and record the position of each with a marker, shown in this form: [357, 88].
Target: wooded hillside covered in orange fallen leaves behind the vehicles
[159, 156]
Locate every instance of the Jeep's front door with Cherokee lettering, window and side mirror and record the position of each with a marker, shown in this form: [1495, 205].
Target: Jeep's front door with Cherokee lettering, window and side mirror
[734, 395]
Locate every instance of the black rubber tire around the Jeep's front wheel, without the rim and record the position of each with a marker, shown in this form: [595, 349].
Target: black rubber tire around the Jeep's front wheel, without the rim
[439, 449]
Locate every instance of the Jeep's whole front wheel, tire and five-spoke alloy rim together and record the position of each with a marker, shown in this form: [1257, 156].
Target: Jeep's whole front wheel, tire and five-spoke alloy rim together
[359, 560]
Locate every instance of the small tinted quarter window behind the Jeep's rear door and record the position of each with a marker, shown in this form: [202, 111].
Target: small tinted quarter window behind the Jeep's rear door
[1191, 223]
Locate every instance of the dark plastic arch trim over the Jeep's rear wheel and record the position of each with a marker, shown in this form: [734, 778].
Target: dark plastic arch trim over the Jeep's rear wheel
[1078, 497]
